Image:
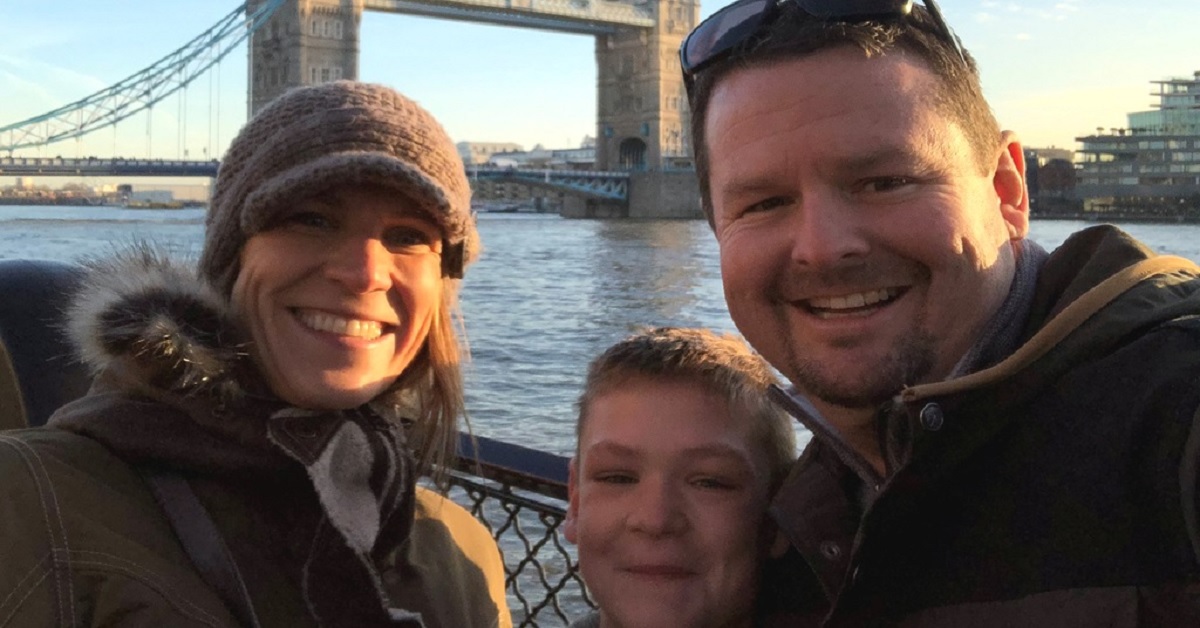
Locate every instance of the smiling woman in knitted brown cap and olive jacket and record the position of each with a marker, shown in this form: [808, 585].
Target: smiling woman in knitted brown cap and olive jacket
[249, 452]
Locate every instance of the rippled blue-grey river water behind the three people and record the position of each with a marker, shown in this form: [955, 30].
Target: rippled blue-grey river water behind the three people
[545, 297]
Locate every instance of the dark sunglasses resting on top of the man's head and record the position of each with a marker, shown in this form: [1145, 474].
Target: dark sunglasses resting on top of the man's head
[734, 26]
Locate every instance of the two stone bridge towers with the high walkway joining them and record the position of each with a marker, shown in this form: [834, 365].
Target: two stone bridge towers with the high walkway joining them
[641, 93]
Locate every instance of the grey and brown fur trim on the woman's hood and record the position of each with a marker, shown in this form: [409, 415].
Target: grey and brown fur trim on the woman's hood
[158, 318]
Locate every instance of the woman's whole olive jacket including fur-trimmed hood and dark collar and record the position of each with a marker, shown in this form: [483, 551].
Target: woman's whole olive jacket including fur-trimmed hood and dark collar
[320, 511]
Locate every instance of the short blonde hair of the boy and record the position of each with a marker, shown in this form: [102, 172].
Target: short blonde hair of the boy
[722, 364]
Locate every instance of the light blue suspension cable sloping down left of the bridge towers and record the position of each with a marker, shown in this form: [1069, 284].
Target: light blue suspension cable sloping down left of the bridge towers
[143, 89]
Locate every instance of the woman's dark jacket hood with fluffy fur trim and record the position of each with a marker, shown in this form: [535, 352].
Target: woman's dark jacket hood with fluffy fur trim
[166, 356]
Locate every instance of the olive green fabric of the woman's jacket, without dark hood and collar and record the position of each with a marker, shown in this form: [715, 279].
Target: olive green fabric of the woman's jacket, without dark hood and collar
[85, 543]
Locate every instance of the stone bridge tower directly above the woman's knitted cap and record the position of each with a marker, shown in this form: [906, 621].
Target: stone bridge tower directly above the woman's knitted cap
[304, 44]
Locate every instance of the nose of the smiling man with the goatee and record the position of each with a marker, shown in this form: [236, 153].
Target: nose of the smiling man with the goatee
[827, 231]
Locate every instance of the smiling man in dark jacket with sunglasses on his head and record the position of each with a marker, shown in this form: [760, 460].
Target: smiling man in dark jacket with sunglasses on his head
[1001, 436]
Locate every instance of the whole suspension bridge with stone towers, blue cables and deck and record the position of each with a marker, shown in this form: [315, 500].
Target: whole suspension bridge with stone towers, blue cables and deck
[641, 107]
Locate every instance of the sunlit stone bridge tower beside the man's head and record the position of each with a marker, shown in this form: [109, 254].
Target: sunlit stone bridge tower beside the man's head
[643, 109]
